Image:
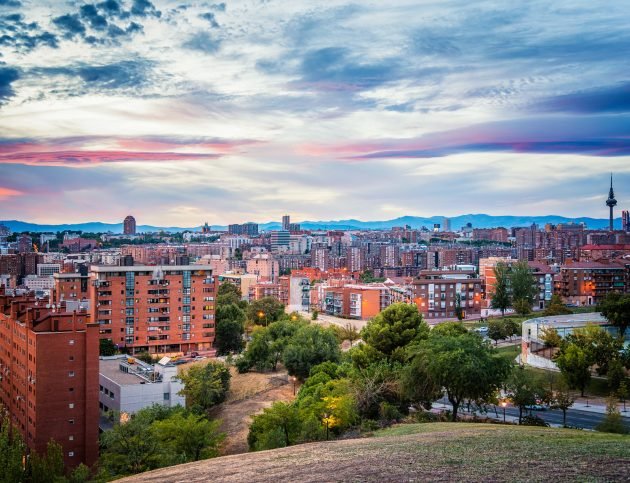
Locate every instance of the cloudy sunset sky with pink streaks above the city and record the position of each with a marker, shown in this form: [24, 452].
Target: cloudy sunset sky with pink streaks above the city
[184, 112]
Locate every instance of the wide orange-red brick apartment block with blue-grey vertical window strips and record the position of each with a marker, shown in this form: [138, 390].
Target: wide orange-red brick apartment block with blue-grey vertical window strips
[167, 309]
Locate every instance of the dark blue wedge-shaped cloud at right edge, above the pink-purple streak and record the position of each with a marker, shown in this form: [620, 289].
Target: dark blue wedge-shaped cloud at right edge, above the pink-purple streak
[610, 99]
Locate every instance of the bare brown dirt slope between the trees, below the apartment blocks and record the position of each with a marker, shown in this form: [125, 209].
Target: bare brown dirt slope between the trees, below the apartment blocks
[249, 394]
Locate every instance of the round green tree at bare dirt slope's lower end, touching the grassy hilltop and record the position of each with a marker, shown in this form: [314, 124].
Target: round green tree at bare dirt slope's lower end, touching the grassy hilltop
[276, 427]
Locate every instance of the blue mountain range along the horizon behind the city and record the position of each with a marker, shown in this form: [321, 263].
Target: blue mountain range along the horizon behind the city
[477, 220]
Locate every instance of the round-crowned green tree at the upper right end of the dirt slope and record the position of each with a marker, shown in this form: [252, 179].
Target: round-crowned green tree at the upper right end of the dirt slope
[311, 345]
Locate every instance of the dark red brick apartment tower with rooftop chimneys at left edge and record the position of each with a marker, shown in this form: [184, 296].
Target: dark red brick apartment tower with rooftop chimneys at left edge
[49, 376]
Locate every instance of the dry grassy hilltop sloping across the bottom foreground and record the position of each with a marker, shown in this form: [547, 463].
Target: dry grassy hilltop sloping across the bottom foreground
[421, 452]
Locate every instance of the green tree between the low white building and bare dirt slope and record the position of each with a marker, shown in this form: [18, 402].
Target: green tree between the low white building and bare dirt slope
[205, 385]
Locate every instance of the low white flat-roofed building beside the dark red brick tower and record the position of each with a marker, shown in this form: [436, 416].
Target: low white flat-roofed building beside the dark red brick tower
[127, 384]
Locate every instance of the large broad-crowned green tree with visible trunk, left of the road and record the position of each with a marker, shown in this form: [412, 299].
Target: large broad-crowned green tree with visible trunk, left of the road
[464, 365]
